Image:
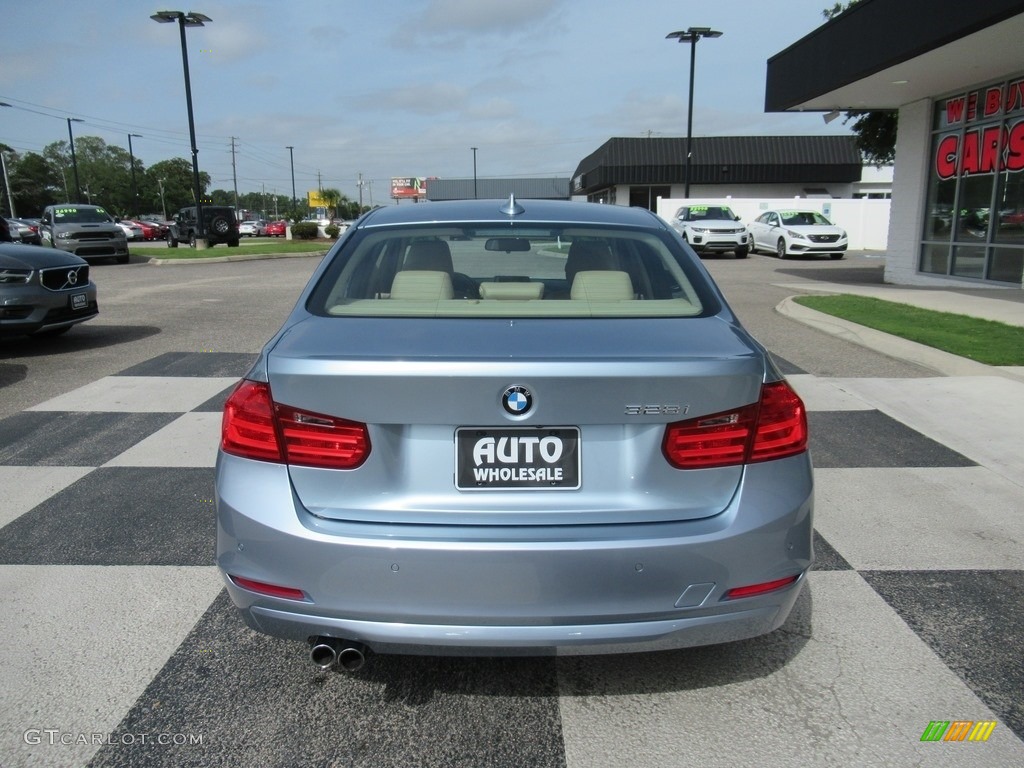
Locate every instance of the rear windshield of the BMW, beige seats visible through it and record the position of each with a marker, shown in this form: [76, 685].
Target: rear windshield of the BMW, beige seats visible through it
[473, 272]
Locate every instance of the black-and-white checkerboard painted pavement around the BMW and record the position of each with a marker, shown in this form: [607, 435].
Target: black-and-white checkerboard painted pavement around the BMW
[122, 649]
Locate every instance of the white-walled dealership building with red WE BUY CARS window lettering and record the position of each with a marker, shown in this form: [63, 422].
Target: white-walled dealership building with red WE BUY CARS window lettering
[956, 74]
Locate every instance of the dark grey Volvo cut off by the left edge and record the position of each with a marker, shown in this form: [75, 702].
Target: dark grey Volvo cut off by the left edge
[42, 291]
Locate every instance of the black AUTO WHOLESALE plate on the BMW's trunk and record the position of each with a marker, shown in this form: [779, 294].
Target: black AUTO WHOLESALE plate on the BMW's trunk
[545, 459]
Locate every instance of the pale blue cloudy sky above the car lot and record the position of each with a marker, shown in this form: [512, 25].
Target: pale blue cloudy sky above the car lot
[389, 89]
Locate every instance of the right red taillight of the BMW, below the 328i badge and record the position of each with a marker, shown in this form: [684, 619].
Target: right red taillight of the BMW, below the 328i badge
[774, 429]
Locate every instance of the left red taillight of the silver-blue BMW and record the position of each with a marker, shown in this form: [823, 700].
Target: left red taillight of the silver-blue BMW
[255, 428]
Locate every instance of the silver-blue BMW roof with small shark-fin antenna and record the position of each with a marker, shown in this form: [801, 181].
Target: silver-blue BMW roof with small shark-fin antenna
[495, 211]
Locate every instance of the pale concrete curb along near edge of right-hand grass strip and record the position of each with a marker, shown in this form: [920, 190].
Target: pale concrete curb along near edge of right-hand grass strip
[893, 347]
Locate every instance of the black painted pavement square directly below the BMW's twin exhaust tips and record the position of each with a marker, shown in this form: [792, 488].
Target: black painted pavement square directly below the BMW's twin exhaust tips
[258, 701]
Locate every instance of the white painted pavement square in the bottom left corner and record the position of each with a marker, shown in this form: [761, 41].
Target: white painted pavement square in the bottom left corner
[81, 645]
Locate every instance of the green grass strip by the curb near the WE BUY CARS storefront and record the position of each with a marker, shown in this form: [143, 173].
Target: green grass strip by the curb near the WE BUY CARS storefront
[982, 340]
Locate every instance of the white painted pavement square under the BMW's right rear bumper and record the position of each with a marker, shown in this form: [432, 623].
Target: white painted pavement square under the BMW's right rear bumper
[844, 684]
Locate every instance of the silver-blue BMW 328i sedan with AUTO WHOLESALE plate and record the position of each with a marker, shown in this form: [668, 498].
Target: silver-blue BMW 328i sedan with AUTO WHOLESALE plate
[502, 428]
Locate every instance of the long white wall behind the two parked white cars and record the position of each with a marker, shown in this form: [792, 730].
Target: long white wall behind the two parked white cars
[866, 222]
